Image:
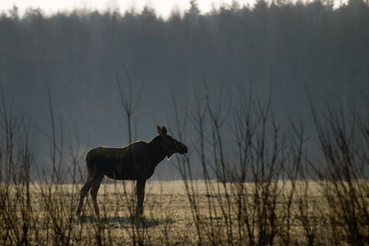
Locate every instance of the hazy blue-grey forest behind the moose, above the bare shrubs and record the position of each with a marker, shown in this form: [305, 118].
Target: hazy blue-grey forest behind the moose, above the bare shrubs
[289, 48]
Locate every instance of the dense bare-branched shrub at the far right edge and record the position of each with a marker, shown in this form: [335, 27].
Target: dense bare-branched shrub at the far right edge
[343, 138]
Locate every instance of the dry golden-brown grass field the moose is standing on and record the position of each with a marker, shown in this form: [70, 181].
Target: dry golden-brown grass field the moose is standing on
[46, 215]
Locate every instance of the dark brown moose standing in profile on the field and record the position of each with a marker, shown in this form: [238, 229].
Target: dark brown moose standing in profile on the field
[136, 161]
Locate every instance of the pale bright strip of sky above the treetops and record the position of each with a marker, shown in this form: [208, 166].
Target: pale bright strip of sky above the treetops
[162, 7]
